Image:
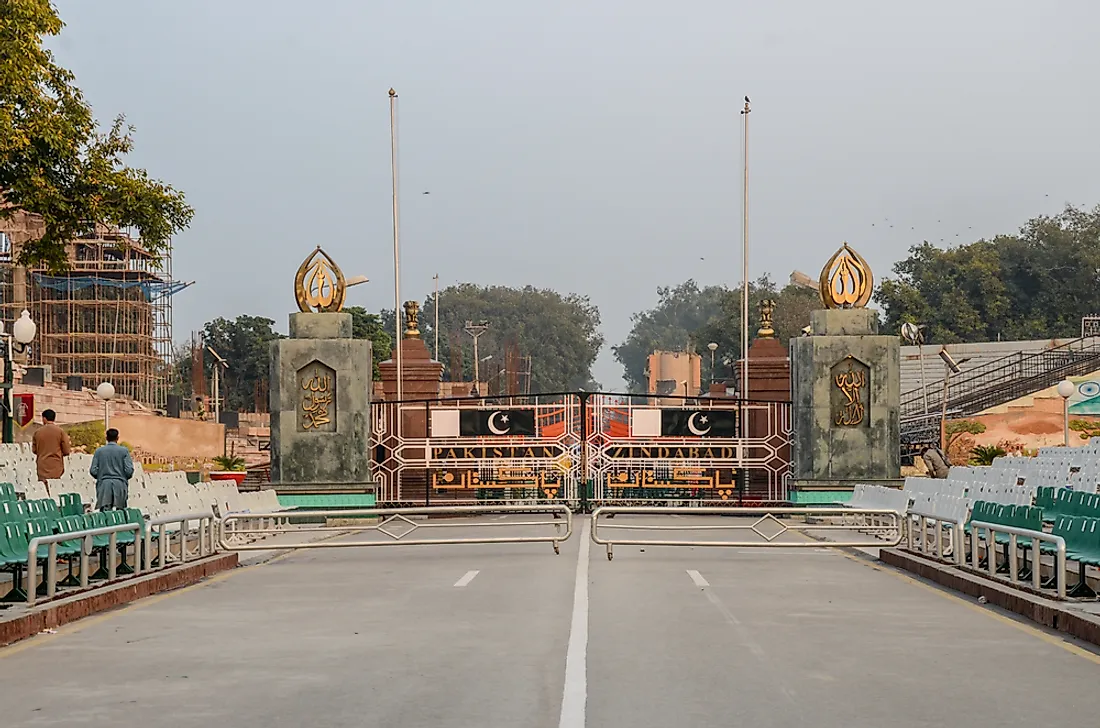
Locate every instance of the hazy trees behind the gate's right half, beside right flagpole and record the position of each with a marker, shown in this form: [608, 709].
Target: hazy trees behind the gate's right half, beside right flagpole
[688, 317]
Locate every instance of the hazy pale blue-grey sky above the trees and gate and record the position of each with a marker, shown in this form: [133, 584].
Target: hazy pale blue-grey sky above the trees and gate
[587, 147]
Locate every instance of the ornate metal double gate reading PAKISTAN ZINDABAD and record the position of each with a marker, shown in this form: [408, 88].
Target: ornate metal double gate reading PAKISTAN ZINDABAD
[581, 449]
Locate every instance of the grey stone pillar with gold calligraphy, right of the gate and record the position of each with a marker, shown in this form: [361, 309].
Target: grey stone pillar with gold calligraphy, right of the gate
[846, 384]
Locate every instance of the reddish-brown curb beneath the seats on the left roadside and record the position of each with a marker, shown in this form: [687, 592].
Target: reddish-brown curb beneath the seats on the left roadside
[54, 614]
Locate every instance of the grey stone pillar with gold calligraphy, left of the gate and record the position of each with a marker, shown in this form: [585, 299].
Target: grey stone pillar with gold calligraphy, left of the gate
[321, 401]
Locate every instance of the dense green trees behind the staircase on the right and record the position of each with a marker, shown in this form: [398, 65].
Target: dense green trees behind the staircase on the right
[1037, 284]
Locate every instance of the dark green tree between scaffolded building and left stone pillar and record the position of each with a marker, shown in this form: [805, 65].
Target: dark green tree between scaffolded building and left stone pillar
[246, 346]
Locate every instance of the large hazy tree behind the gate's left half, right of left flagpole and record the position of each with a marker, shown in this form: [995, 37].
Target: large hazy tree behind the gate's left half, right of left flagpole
[560, 333]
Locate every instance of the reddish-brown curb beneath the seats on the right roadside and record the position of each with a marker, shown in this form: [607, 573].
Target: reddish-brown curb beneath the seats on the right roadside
[1055, 615]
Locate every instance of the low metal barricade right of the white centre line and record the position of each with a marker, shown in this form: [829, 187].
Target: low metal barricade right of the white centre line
[885, 527]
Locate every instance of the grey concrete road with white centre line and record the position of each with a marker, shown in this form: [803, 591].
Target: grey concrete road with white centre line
[512, 636]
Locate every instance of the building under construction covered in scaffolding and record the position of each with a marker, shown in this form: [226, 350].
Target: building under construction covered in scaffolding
[108, 318]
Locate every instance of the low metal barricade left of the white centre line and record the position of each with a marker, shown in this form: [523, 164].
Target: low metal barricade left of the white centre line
[394, 517]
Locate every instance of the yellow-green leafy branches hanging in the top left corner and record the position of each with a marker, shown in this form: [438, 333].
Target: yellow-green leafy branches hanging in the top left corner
[56, 162]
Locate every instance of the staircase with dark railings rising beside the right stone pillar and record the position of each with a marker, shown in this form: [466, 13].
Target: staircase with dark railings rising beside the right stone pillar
[997, 383]
